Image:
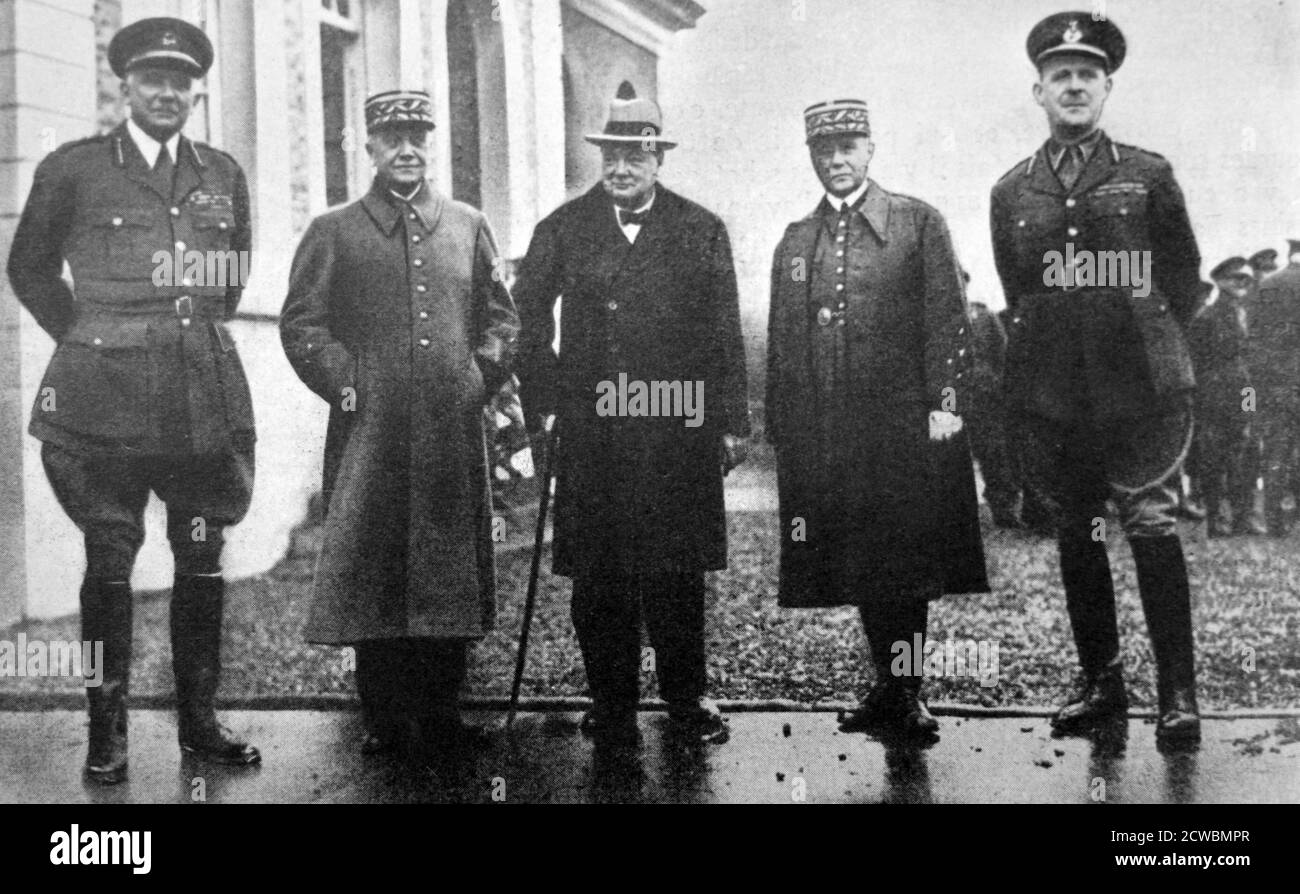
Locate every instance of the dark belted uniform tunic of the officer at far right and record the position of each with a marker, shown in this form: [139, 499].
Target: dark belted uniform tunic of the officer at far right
[1097, 354]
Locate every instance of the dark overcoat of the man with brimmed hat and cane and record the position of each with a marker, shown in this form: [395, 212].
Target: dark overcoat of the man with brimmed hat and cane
[635, 493]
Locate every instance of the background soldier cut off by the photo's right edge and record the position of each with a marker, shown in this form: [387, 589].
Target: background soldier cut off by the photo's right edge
[1276, 351]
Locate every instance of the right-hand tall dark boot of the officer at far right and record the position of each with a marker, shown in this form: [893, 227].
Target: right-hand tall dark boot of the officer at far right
[1167, 601]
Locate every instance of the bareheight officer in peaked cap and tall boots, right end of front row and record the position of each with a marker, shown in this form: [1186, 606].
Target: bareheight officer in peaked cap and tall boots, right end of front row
[1098, 363]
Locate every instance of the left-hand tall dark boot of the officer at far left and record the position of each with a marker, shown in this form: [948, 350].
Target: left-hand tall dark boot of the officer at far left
[107, 619]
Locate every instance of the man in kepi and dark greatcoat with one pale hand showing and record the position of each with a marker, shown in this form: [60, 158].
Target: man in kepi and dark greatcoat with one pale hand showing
[869, 361]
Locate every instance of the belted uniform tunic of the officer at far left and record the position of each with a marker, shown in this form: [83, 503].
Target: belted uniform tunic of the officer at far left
[145, 364]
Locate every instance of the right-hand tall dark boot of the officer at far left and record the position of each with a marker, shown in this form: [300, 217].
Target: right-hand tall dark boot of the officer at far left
[197, 663]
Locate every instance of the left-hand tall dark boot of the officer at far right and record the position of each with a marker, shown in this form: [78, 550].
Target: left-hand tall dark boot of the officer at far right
[1090, 598]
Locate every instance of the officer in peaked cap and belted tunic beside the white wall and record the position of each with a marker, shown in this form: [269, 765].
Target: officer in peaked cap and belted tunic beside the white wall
[146, 390]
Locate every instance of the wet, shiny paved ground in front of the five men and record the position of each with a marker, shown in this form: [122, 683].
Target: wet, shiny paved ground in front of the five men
[773, 758]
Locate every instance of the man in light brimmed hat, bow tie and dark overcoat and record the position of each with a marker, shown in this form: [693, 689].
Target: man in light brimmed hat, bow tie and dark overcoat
[649, 390]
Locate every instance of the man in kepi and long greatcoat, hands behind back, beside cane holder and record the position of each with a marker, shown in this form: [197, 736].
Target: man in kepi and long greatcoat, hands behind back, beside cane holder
[397, 316]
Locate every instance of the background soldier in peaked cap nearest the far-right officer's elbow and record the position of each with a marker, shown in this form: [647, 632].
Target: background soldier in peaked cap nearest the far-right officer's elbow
[1224, 414]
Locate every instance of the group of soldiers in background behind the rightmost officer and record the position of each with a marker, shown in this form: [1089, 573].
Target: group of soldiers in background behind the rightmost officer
[1246, 346]
